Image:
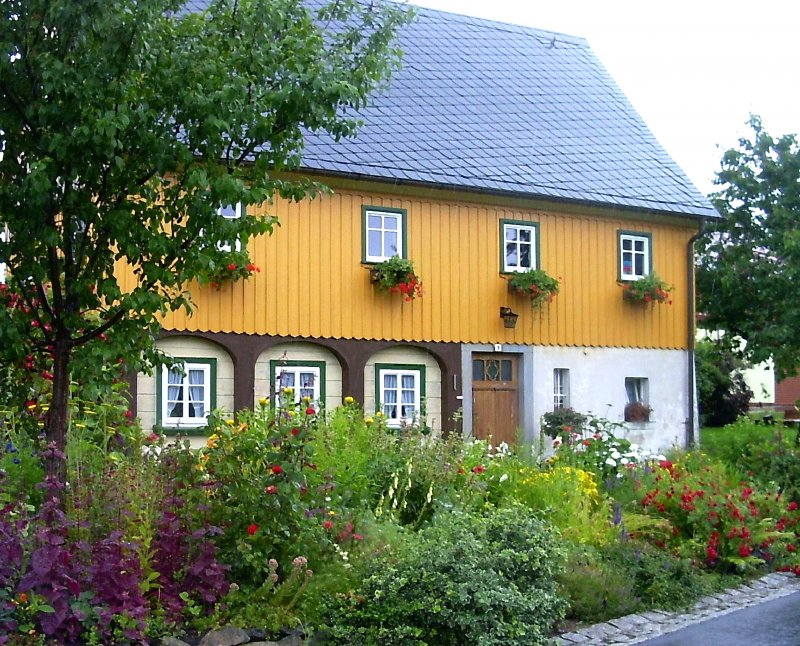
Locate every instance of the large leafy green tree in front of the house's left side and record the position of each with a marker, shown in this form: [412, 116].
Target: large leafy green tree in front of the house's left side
[126, 124]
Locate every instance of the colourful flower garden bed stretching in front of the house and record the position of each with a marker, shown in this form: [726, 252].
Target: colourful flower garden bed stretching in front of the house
[330, 524]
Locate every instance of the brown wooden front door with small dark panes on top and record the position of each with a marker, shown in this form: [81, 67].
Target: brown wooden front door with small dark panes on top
[495, 397]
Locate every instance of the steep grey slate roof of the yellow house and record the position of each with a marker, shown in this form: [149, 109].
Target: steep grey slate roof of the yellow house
[495, 107]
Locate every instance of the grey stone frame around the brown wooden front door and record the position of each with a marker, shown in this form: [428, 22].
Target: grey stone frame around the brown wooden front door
[524, 355]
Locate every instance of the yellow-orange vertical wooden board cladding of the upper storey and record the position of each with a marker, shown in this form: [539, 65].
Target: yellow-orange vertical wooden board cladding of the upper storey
[313, 284]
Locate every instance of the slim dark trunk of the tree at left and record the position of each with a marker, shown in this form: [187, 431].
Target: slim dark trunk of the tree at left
[58, 416]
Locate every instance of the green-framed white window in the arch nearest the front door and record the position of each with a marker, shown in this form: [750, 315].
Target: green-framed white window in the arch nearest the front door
[392, 389]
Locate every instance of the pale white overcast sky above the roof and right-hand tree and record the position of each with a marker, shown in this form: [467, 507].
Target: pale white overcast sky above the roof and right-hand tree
[694, 69]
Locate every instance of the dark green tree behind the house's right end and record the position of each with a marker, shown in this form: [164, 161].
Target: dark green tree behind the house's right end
[749, 275]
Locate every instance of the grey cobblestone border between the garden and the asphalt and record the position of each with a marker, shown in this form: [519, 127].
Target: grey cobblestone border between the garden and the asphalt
[633, 629]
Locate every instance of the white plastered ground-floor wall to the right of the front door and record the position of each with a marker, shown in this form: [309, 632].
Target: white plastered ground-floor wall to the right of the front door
[597, 386]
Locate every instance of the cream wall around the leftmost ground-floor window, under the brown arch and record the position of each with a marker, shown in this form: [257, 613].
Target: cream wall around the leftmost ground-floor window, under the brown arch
[190, 347]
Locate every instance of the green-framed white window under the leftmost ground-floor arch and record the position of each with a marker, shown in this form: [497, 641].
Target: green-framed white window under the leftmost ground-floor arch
[177, 392]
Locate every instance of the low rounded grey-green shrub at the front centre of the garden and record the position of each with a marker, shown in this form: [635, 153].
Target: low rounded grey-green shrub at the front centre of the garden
[466, 579]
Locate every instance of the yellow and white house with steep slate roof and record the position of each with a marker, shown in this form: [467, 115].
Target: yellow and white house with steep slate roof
[498, 148]
